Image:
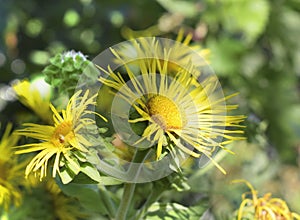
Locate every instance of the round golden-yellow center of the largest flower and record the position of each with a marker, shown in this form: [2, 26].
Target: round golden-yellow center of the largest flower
[165, 112]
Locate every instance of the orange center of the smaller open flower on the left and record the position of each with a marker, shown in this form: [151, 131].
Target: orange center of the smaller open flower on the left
[63, 134]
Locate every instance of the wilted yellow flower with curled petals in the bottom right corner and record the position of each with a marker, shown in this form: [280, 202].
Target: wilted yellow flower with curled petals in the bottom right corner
[263, 208]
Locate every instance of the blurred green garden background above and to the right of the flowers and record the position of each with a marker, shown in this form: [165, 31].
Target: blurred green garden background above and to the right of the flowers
[255, 50]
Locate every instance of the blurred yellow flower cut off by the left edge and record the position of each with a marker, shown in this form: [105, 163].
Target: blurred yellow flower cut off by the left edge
[11, 172]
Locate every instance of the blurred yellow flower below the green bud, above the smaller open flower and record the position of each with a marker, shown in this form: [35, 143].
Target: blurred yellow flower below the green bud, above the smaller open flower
[30, 96]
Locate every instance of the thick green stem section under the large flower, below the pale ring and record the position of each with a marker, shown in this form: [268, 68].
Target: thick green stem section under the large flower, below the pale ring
[126, 201]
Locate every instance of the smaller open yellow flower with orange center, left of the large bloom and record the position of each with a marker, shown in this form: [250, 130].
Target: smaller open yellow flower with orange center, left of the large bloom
[60, 141]
